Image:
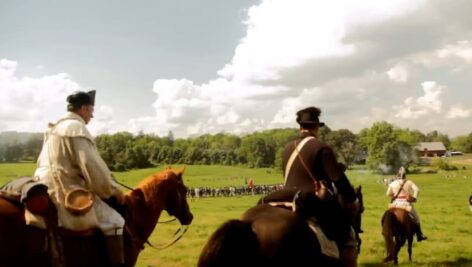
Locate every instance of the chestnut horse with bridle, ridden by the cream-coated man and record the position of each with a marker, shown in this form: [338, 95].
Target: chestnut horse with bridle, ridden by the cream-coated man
[24, 245]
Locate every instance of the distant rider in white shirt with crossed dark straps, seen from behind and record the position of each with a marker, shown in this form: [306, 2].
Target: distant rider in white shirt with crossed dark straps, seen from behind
[403, 193]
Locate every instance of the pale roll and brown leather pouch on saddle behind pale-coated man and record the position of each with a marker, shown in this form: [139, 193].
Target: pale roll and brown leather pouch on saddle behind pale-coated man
[27, 192]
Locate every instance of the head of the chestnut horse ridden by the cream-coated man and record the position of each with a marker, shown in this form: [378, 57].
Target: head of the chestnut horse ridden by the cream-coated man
[176, 196]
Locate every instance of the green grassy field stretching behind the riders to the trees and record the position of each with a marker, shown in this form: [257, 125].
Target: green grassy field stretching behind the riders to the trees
[442, 206]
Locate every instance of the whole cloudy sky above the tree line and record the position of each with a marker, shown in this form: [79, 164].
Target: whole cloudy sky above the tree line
[211, 66]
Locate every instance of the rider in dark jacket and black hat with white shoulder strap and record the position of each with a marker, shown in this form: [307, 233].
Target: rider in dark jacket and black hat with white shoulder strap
[311, 166]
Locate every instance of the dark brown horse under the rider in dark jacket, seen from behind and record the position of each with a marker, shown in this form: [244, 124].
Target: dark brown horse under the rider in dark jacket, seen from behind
[268, 235]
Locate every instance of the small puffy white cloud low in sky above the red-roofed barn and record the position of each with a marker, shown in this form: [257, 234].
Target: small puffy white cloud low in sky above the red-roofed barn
[425, 105]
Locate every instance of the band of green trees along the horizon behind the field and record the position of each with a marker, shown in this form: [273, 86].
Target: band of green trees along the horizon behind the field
[382, 144]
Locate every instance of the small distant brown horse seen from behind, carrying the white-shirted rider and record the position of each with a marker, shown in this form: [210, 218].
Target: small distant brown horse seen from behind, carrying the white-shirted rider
[397, 228]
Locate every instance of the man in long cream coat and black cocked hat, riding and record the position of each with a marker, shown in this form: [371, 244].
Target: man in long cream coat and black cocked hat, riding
[69, 159]
